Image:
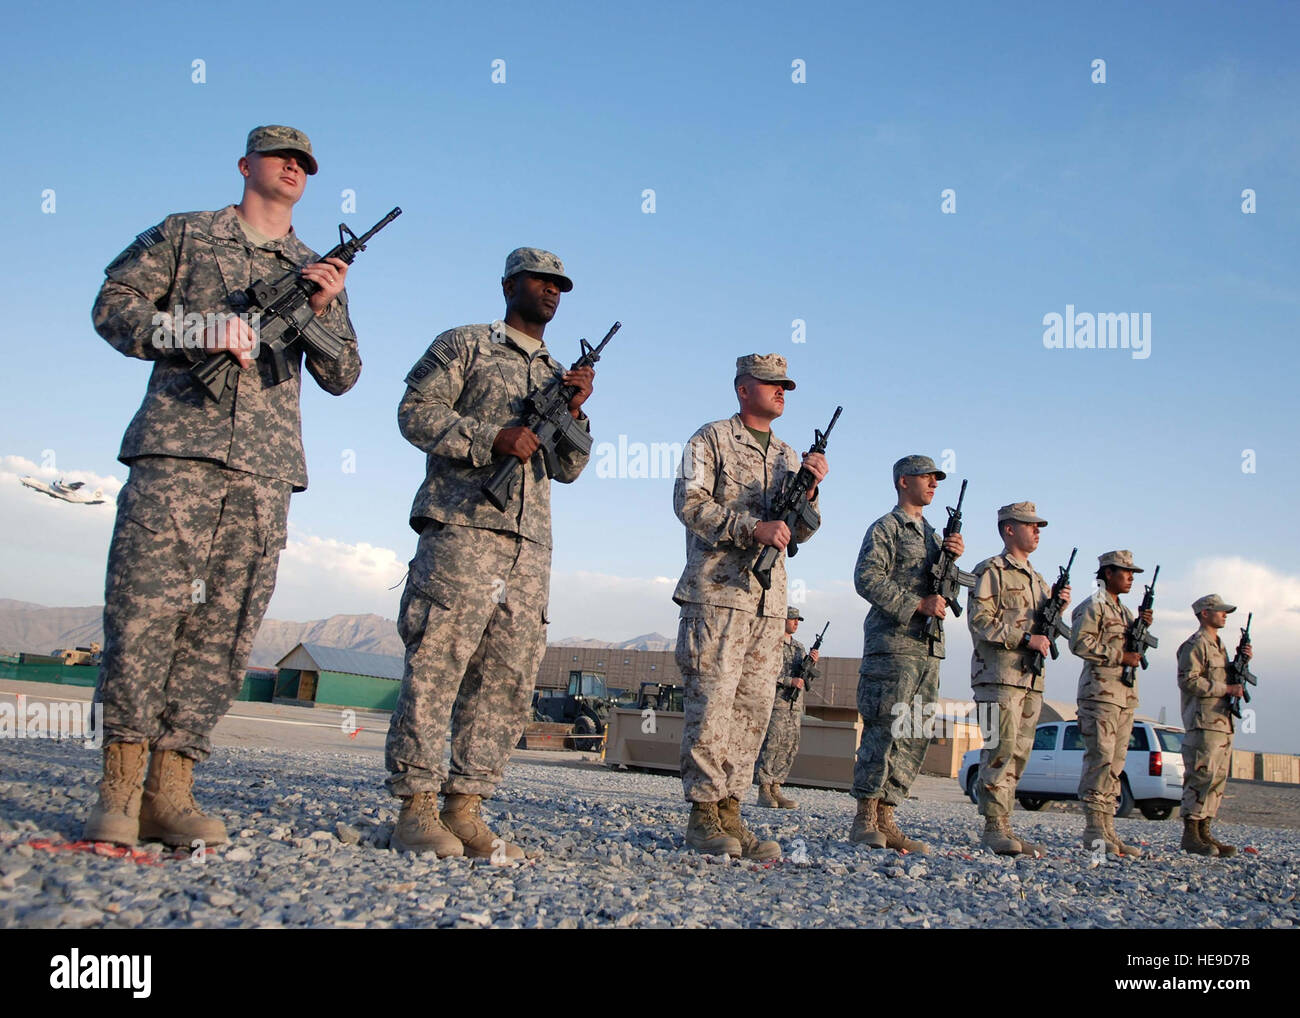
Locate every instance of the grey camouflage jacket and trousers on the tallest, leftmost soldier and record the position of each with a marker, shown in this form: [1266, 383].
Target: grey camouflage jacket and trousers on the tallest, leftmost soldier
[202, 519]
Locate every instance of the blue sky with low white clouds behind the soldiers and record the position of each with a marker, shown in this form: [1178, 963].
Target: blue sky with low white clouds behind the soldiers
[774, 202]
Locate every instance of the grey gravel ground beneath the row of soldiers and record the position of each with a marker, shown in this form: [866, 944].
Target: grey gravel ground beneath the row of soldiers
[310, 838]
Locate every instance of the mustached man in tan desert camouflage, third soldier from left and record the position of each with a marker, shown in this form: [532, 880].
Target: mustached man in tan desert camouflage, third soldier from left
[730, 634]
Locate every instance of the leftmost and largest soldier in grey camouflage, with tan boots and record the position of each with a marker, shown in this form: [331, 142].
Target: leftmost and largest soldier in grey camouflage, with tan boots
[202, 518]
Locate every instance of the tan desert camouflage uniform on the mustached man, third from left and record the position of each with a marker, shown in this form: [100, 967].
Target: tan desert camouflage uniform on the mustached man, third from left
[730, 635]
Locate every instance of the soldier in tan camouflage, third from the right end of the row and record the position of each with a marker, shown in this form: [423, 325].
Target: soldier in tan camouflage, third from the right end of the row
[1002, 610]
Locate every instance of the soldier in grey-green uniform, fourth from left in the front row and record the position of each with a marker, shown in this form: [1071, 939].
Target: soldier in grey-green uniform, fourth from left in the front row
[899, 660]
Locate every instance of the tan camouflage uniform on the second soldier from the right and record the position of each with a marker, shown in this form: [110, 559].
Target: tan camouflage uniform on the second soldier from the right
[1106, 705]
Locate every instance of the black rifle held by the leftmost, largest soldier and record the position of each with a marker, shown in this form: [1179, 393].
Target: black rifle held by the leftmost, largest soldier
[285, 314]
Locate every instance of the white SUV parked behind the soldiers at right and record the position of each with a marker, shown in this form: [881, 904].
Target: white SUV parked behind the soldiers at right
[1152, 779]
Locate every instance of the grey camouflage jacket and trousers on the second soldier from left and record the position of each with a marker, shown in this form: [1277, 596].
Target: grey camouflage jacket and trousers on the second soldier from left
[474, 610]
